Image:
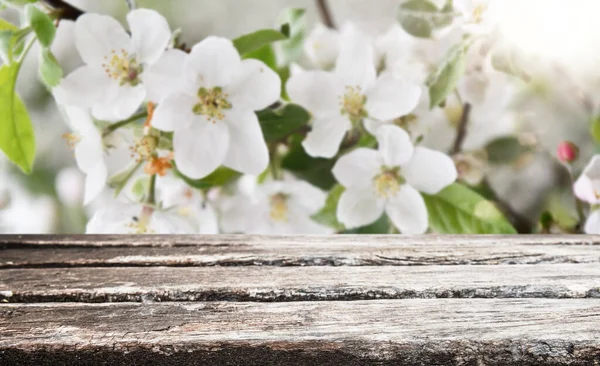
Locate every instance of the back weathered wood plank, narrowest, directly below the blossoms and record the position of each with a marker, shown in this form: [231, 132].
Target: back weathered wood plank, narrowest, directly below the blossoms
[297, 251]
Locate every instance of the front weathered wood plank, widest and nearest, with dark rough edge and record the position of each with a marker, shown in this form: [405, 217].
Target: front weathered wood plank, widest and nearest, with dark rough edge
[386, 332]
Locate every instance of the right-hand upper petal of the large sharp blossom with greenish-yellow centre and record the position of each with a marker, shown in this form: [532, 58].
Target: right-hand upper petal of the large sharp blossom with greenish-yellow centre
[256, 87]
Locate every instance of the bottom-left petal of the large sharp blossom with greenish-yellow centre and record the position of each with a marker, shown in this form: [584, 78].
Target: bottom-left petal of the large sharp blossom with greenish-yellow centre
[201, 147]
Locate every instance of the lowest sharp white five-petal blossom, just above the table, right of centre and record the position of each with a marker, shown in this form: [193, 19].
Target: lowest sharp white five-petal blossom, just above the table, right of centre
[389, 180]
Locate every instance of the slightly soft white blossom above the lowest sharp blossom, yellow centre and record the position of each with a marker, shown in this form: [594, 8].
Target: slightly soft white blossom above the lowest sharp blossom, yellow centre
[352, 93]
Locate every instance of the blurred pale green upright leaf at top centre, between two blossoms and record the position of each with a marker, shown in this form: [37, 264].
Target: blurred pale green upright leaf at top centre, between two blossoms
[293, 25]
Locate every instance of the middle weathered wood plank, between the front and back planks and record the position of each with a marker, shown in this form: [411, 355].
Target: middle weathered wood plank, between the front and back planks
[269, 284]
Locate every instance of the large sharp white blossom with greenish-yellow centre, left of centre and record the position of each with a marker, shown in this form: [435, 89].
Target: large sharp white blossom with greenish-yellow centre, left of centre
[213, 117]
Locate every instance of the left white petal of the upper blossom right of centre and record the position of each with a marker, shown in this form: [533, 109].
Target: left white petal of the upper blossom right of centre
[317, 91]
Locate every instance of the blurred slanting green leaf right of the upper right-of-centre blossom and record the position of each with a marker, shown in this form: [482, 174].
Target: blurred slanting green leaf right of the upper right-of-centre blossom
[443, 81]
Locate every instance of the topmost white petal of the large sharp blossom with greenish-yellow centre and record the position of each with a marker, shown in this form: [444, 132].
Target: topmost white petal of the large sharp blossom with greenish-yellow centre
[213, 62]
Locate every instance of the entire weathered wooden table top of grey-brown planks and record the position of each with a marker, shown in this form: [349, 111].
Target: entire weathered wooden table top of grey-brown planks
[343, 300]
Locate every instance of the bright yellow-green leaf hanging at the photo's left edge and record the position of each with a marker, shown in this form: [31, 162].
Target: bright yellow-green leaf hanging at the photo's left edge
[17, 138]
